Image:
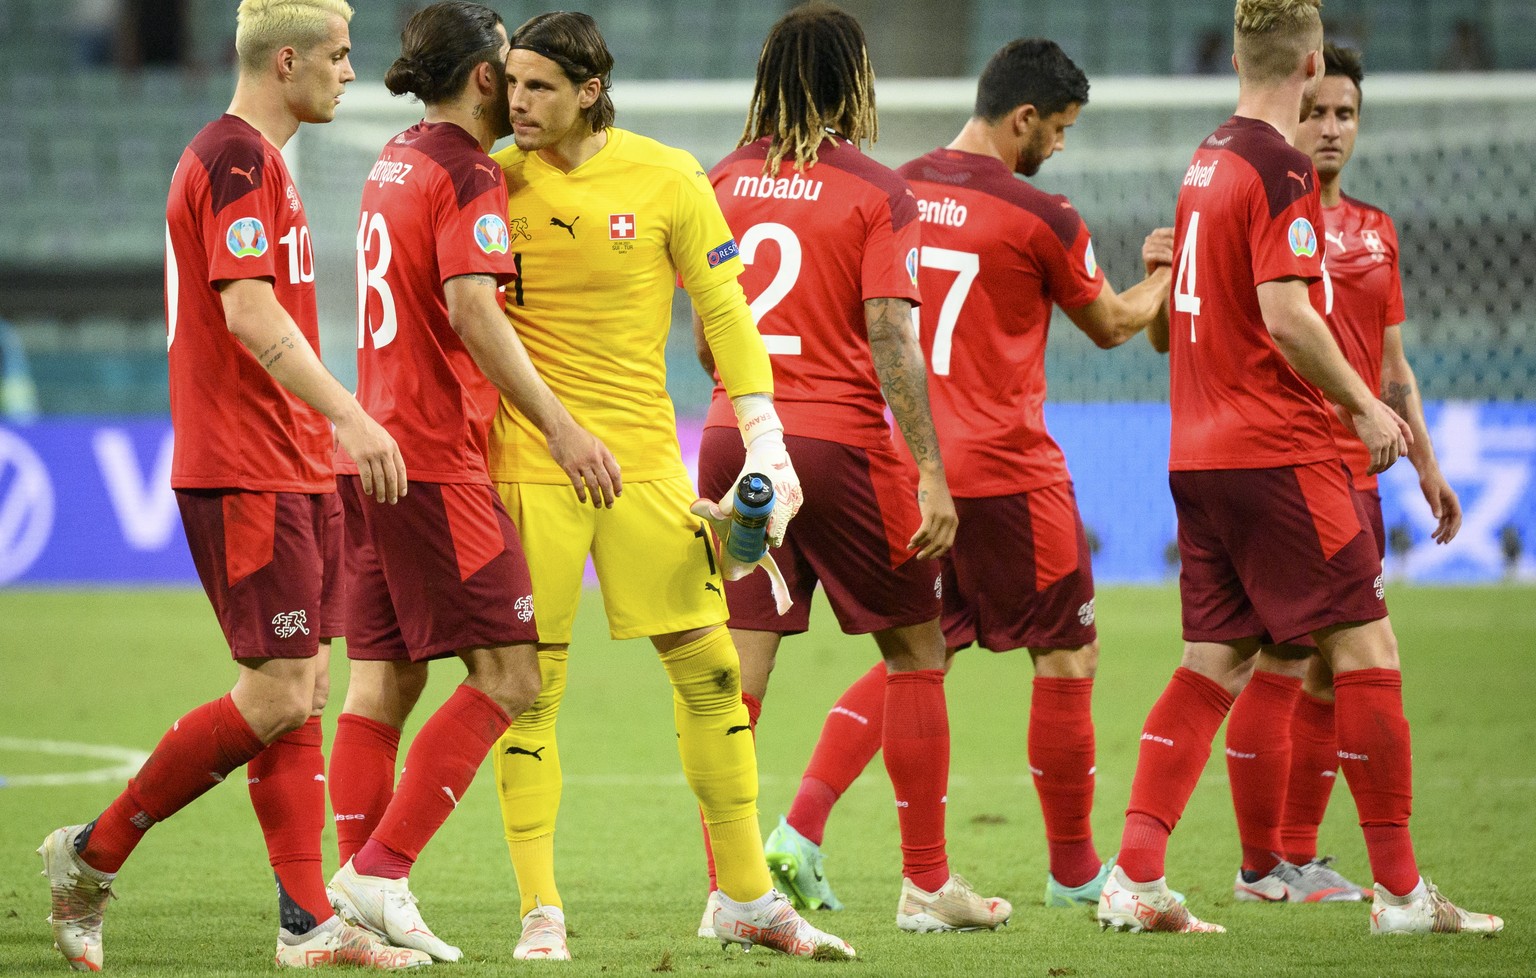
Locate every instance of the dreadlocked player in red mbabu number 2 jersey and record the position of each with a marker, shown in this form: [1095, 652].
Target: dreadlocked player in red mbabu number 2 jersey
[830, 240]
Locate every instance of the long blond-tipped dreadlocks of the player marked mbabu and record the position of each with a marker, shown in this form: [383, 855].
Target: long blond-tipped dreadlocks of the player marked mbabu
[813, 78]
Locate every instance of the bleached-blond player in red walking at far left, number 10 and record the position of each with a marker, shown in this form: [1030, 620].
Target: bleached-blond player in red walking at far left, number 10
[253, 408]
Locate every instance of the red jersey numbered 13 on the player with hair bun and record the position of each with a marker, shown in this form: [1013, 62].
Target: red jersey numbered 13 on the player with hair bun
[434, 208]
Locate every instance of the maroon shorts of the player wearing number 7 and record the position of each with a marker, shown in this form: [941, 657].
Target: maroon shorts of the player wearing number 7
[1021, 573]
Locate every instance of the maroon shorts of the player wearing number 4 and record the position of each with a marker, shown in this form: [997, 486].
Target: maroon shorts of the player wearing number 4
[1274, 553]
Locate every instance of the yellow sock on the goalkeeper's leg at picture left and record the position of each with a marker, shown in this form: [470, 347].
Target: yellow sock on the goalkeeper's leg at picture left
[529, 784]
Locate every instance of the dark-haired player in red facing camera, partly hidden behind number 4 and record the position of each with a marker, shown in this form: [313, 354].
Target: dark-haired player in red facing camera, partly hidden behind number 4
[1362, 249]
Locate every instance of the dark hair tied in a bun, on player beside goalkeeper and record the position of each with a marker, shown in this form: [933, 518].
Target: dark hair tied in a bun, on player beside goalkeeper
[440, 47]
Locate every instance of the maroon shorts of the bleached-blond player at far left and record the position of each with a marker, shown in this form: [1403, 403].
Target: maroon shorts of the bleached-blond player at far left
[260, 558]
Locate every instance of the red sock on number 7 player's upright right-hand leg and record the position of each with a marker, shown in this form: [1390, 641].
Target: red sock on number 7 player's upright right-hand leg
[1062, 762]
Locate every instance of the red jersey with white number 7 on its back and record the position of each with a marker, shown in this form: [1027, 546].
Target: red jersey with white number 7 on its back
[998, 254]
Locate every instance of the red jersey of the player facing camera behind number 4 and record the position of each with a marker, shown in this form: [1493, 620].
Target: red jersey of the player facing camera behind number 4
[1368, 300]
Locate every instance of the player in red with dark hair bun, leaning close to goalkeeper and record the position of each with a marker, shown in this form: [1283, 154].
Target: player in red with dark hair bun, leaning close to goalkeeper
[443, 573]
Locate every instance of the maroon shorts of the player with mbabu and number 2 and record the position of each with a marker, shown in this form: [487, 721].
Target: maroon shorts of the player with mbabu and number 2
[861, 510]
